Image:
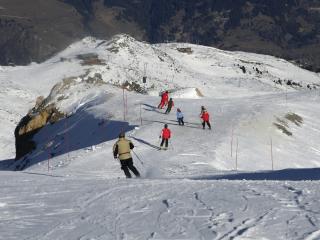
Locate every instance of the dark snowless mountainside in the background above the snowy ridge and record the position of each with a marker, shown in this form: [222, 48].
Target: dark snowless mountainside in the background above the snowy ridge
[287, 28]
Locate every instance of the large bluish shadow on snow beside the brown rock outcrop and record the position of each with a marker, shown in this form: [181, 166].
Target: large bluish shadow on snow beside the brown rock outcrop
[81, 130]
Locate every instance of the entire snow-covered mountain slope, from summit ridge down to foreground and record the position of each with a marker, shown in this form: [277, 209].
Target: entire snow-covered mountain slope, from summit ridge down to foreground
[265, 116]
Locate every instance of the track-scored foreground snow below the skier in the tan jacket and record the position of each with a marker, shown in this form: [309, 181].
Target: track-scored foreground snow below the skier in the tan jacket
[208, 210]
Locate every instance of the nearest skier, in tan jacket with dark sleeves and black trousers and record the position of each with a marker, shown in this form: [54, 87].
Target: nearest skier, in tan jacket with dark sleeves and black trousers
[121, 150]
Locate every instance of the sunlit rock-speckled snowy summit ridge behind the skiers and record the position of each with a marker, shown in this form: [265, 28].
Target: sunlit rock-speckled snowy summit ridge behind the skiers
[212, 71]
